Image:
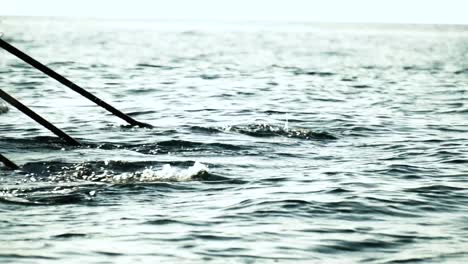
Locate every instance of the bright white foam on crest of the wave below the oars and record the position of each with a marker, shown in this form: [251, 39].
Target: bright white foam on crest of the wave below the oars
[166, 173]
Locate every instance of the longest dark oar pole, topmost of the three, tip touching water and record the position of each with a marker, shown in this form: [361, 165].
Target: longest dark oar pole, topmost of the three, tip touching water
[8, 47]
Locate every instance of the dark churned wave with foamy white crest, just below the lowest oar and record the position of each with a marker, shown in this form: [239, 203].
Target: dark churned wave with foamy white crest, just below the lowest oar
[56, 183]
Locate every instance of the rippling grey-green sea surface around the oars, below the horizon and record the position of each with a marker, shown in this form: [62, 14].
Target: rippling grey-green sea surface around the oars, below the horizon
[272, 143]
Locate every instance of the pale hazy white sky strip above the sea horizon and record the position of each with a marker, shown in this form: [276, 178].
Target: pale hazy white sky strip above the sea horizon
[400, 11]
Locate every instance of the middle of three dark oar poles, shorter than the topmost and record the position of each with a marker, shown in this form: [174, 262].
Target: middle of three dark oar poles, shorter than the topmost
[9, 99]
